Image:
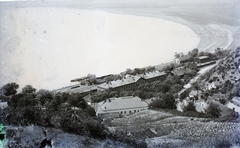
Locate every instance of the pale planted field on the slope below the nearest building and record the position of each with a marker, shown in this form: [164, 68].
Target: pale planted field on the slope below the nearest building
[161, 129]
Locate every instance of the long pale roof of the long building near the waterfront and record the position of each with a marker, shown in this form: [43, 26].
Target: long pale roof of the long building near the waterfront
[129, 79]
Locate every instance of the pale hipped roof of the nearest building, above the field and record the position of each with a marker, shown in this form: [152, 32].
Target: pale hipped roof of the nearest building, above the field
[120, 103]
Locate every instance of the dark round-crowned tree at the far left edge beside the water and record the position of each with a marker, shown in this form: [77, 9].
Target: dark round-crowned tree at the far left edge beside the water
[9, 89]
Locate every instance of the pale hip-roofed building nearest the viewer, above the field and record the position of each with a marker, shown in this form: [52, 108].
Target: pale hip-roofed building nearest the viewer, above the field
[121, 106]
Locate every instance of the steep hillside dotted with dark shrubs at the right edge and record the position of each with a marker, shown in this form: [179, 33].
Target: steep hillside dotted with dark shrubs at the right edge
[222, 82]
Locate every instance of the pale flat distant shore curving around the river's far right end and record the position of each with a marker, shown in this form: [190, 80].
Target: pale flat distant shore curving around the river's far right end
[215, 30]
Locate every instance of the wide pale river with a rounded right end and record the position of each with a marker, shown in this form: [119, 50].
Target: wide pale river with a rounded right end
[47, 47]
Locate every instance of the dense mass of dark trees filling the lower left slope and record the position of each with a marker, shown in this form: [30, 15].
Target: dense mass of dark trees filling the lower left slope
[69, 112]
